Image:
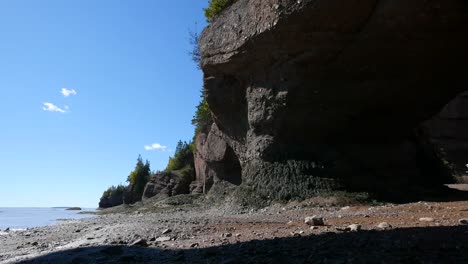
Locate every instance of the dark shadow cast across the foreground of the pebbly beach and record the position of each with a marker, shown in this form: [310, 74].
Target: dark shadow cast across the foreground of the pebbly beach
[406, 245]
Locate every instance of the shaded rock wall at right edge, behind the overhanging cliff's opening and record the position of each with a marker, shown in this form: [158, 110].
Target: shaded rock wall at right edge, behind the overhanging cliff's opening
[449, 131]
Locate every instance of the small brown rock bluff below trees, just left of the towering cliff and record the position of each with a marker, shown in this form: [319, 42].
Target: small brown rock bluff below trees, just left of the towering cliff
[167, 184]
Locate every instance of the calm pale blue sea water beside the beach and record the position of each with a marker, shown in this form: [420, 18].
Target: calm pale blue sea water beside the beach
[16, 218]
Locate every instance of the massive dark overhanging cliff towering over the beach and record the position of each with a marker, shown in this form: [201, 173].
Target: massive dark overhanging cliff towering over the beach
[317, 95]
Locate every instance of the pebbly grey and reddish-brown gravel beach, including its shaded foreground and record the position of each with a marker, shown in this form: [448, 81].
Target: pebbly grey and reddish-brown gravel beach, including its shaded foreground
[420, 232]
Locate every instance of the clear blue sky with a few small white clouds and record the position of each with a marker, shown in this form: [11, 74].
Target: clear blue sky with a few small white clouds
[135, 84]
